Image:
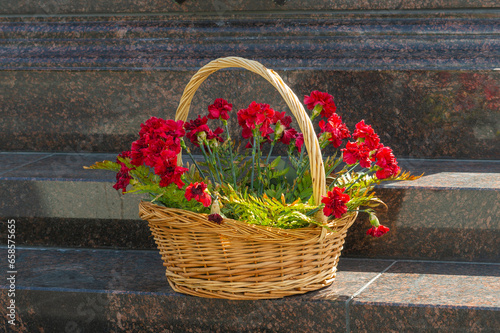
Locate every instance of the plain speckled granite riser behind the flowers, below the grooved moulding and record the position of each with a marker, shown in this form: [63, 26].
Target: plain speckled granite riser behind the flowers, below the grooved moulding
[419, 114]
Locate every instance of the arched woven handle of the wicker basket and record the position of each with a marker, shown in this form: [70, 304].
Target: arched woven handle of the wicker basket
[310, 139]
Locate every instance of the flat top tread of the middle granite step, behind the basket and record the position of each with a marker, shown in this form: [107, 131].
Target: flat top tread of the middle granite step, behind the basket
[69, 166]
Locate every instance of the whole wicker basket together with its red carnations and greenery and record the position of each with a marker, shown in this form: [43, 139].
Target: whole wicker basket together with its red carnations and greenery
[237, 221]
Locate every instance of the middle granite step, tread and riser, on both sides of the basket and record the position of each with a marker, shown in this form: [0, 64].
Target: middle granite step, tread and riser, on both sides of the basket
[451, 213]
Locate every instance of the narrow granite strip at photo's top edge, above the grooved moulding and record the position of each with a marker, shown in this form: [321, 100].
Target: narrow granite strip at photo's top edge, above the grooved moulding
[224, 7]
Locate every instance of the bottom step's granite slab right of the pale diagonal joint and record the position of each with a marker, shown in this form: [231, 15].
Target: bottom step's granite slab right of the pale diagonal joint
[430, 297]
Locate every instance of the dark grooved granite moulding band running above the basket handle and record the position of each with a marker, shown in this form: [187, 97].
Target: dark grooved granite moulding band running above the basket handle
[381, 41]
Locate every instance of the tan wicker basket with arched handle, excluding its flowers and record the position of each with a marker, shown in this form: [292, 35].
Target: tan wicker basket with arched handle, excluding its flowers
[237, 260]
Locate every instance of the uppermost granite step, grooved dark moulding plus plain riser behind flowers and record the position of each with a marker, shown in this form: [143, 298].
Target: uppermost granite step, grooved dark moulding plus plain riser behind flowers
[427, 81]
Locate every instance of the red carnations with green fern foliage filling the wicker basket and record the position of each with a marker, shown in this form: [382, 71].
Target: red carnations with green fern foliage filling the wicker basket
[251, 184]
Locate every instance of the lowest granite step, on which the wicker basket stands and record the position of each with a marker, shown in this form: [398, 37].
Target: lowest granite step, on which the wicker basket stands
[85, 290]
